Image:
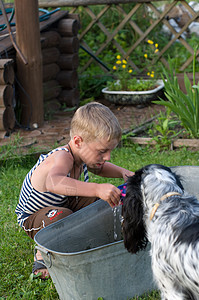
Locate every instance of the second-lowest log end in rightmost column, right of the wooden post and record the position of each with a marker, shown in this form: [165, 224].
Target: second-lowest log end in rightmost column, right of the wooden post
[68, 79]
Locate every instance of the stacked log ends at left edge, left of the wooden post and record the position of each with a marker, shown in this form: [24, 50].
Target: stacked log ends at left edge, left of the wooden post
[7, 114]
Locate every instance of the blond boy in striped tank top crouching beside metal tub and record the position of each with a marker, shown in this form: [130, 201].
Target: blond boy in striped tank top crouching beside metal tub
[52, 191]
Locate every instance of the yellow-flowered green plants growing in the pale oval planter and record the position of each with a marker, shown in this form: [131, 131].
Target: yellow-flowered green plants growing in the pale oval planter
[123, 72]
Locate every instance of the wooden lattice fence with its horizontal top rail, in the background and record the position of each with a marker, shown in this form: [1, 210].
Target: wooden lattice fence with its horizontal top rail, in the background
[130, 16]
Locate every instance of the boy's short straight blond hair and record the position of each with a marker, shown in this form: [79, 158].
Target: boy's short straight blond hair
[95, 121]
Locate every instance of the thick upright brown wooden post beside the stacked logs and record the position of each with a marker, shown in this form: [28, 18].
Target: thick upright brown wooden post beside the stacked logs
[29, 75]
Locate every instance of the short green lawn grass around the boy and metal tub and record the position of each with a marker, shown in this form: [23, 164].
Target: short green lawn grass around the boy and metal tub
[16, 250]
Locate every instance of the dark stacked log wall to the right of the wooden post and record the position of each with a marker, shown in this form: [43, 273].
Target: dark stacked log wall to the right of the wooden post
[60, 47]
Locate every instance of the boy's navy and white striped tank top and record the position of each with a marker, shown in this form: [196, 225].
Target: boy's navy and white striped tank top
[31, 200]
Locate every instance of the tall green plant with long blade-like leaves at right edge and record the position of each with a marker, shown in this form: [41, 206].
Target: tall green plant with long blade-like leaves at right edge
[185, 106]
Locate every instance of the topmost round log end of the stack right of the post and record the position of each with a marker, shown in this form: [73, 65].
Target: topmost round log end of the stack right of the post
[68, 27]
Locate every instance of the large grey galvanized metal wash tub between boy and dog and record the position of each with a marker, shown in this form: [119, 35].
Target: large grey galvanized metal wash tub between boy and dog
[84, 260]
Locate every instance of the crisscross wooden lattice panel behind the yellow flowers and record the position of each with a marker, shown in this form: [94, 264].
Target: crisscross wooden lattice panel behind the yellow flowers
[157, 18]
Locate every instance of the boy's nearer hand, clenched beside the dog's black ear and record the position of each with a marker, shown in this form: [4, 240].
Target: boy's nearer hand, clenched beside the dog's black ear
[109, 193]
